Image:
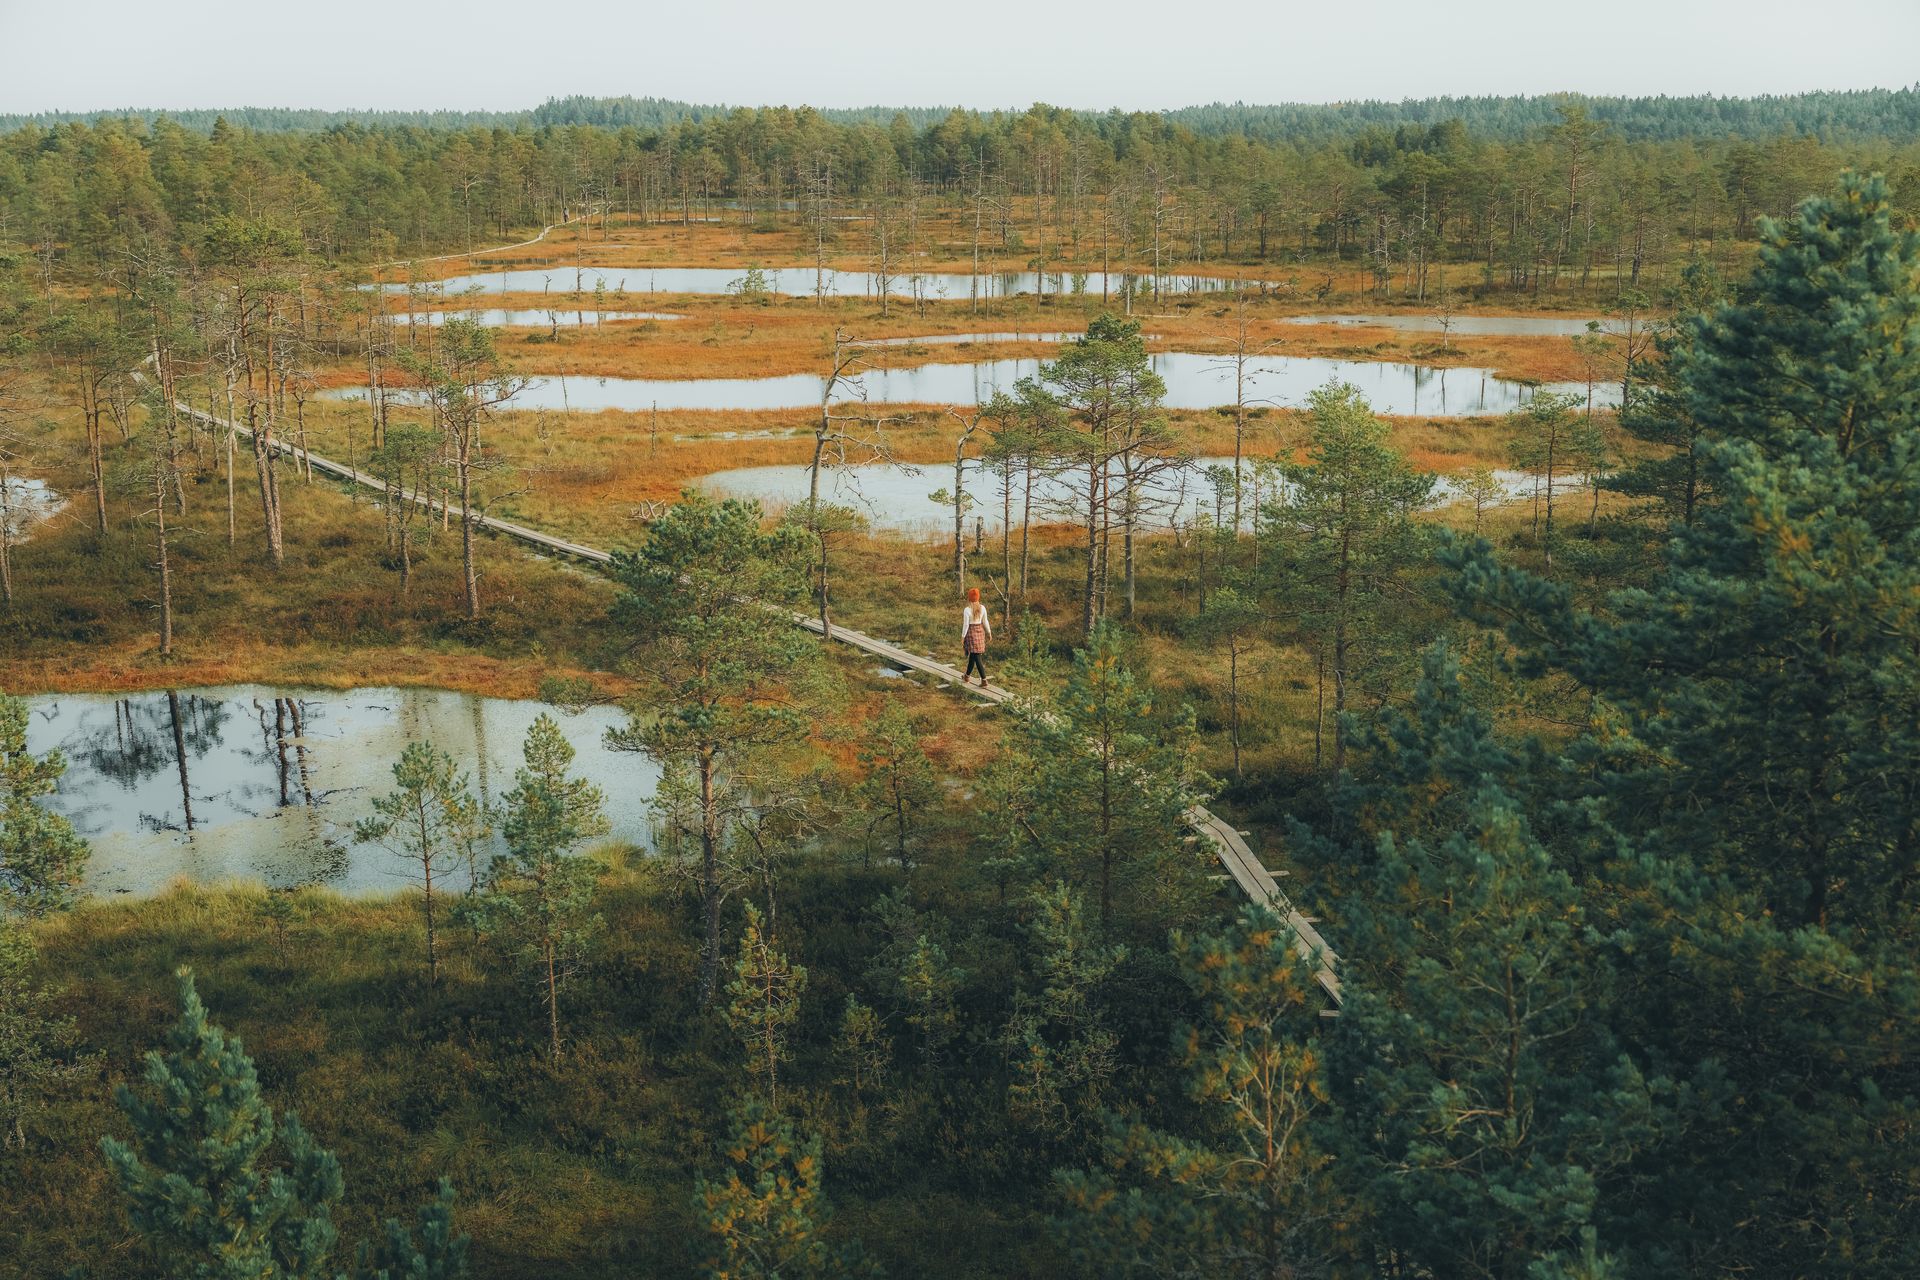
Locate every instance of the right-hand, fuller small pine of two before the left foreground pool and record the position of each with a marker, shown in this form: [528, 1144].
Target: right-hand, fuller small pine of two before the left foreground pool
[540, 891]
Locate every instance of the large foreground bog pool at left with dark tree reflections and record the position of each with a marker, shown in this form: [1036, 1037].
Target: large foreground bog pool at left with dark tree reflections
[266, 784]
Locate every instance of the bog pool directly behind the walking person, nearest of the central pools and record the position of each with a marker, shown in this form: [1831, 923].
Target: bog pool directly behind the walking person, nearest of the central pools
[900, 500]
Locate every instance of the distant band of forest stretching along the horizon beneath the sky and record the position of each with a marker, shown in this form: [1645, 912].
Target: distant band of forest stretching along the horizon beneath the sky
[1529, 195]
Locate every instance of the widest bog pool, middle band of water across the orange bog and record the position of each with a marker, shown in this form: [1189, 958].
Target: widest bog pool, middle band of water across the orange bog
[1193, 383]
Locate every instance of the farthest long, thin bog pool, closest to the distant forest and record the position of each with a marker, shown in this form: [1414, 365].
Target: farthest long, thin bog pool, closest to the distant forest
[805, 281]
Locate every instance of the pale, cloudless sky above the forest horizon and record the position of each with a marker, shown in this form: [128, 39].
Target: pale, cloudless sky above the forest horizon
[506, 55]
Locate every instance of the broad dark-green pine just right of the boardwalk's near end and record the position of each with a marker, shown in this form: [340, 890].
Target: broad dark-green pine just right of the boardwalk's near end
[1481, 1101]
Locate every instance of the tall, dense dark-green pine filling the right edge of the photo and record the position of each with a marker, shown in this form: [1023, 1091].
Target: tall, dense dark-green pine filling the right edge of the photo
[1756, 761]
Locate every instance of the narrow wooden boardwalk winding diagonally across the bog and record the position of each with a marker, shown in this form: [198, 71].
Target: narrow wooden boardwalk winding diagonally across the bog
[1243, 866]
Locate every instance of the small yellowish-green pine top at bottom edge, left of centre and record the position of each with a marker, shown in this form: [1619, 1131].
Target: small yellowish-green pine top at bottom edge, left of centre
[769, 1214]
